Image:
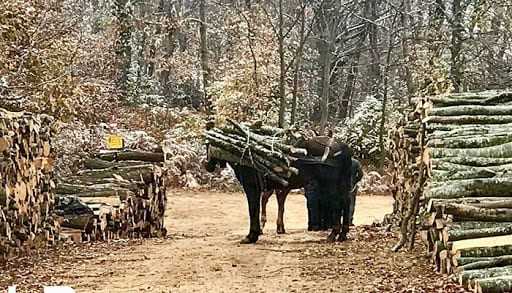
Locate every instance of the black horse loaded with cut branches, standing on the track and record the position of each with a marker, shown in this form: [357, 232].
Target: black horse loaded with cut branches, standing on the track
[333, 176]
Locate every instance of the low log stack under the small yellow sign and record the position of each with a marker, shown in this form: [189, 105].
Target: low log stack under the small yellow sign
[119, 194]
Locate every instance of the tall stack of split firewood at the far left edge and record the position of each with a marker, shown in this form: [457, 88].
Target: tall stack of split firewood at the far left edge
[26, 190]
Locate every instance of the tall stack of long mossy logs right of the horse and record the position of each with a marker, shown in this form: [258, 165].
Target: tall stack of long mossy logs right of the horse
[452, 160]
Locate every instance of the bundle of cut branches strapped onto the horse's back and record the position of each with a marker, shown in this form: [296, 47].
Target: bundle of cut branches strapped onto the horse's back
[267, 149]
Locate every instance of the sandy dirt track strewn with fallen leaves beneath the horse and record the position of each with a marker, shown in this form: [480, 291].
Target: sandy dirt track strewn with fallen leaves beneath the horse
[202, 254]
